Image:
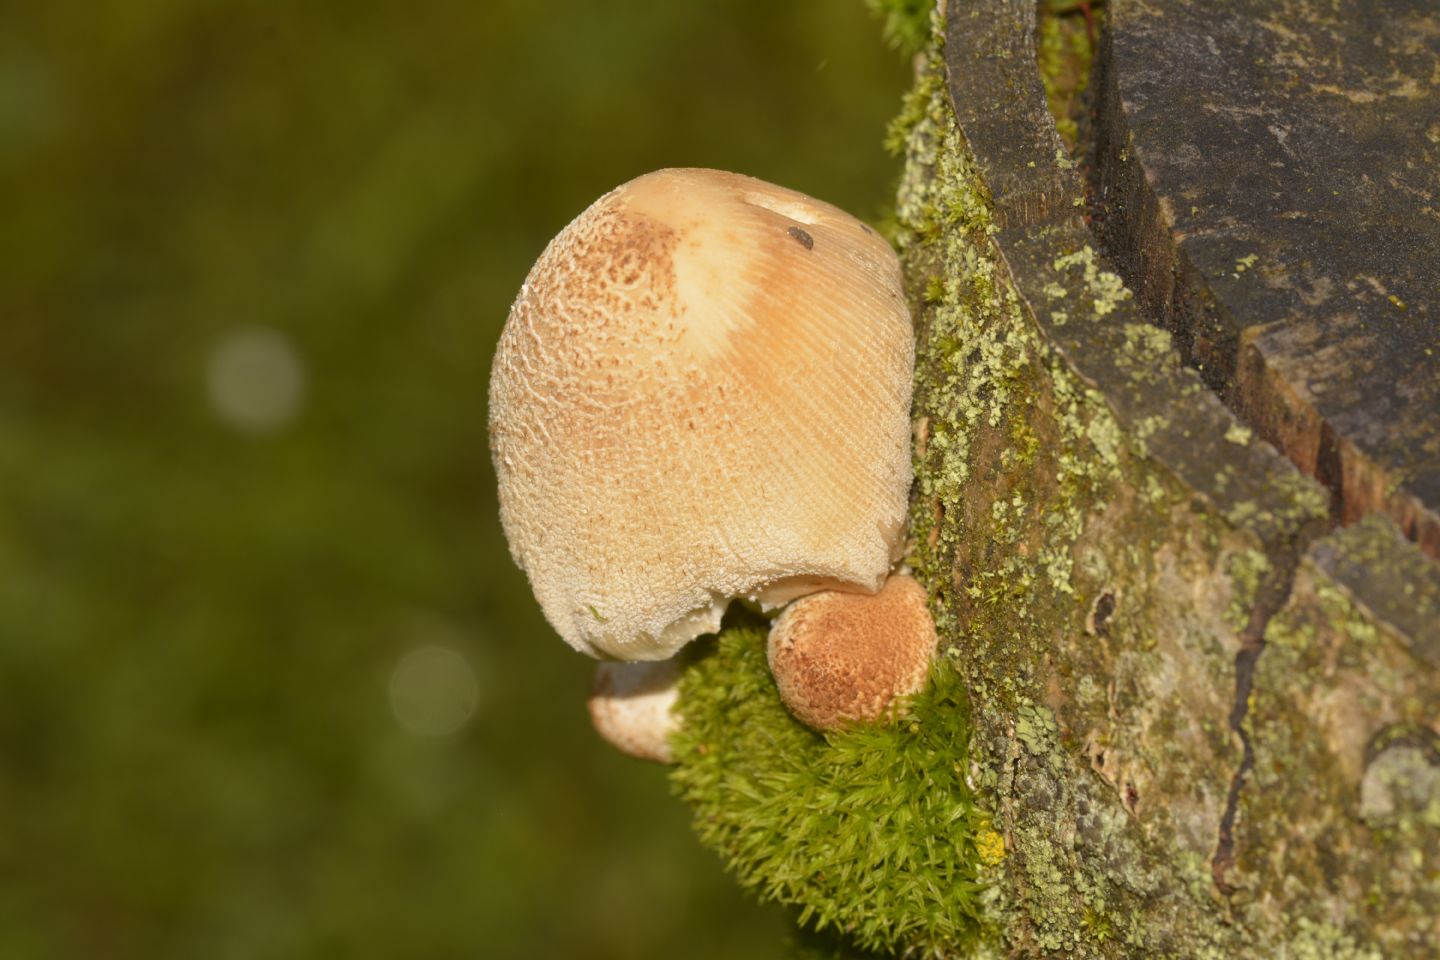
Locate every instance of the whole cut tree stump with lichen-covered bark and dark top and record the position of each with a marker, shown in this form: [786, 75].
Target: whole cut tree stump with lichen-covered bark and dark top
[1205, 697]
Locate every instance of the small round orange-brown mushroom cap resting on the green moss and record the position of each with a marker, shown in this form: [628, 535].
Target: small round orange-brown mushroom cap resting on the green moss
[845, 658]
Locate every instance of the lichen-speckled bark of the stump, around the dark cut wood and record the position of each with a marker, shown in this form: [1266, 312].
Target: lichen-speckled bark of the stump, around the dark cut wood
[1205, 716]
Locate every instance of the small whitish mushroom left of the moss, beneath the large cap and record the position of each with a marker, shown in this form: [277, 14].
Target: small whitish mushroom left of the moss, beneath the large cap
[631, 707]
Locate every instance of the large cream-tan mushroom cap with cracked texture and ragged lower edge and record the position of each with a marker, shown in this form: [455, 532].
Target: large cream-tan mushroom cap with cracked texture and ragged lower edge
[702, 394]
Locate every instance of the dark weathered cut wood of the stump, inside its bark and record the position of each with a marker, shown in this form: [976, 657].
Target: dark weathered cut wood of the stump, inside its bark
[1268, 175]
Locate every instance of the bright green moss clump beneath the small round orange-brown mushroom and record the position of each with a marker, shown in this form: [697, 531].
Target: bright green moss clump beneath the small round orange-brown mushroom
[872, 833]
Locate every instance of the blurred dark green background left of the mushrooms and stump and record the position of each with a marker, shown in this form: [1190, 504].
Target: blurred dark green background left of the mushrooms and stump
[270, 684]
